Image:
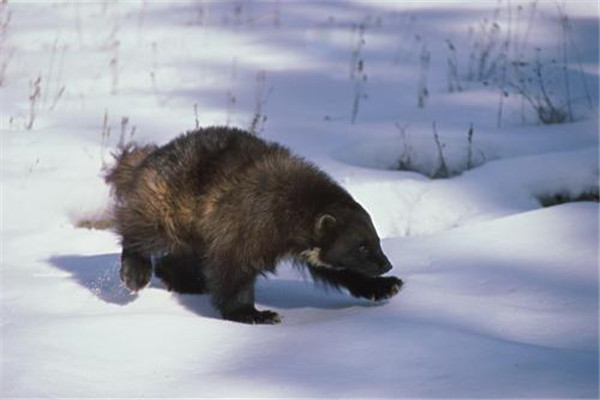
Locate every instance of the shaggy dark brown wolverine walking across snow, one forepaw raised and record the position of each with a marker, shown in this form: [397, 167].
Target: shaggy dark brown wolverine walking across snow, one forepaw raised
[216, 207]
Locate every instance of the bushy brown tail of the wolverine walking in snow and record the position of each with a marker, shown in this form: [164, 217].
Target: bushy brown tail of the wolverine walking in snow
[127, 160]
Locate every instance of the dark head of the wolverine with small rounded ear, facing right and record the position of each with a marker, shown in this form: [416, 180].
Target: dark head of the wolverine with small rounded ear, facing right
[345, 238]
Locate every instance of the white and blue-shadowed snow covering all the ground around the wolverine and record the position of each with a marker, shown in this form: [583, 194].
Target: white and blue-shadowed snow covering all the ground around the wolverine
[500, 297]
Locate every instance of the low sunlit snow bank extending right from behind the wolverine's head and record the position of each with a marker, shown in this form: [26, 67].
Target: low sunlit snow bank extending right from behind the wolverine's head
[403, 206]
